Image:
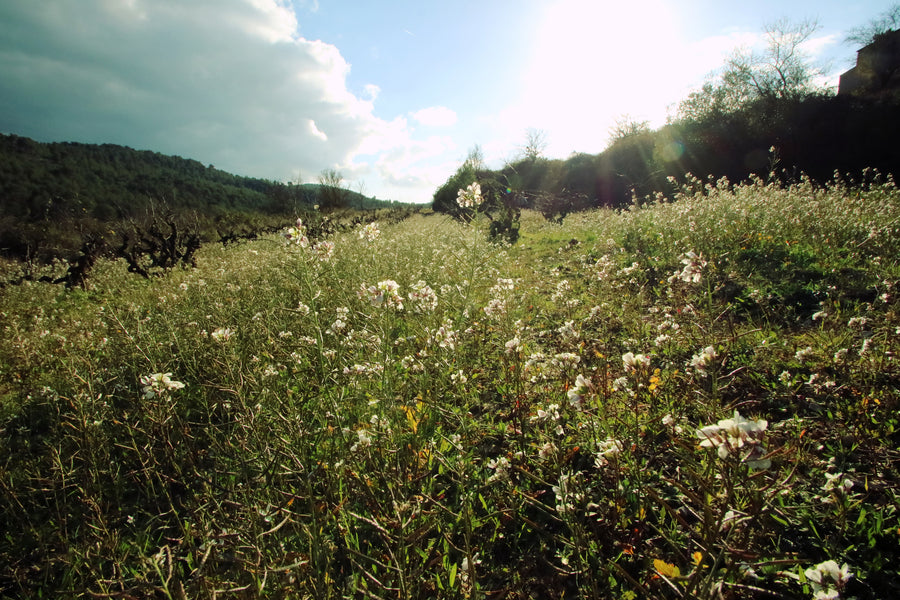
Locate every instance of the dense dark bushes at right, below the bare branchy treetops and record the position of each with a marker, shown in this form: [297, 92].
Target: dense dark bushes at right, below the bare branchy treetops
[816, 136]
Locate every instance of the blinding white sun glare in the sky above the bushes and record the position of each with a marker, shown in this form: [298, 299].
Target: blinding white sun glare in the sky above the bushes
[593, 62]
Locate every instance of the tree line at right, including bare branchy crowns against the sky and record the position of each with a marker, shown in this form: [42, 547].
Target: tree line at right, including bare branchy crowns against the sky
[762, 114]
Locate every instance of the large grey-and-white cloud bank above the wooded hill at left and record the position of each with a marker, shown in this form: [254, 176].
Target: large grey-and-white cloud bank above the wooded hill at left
[228, 82]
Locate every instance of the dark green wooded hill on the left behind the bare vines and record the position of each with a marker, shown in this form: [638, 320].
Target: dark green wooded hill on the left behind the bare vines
[55, 195]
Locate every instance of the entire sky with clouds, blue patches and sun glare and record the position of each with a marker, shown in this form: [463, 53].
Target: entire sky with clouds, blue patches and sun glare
[392, 94]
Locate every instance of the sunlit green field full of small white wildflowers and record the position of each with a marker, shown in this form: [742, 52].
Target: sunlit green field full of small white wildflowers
[694, 398]
